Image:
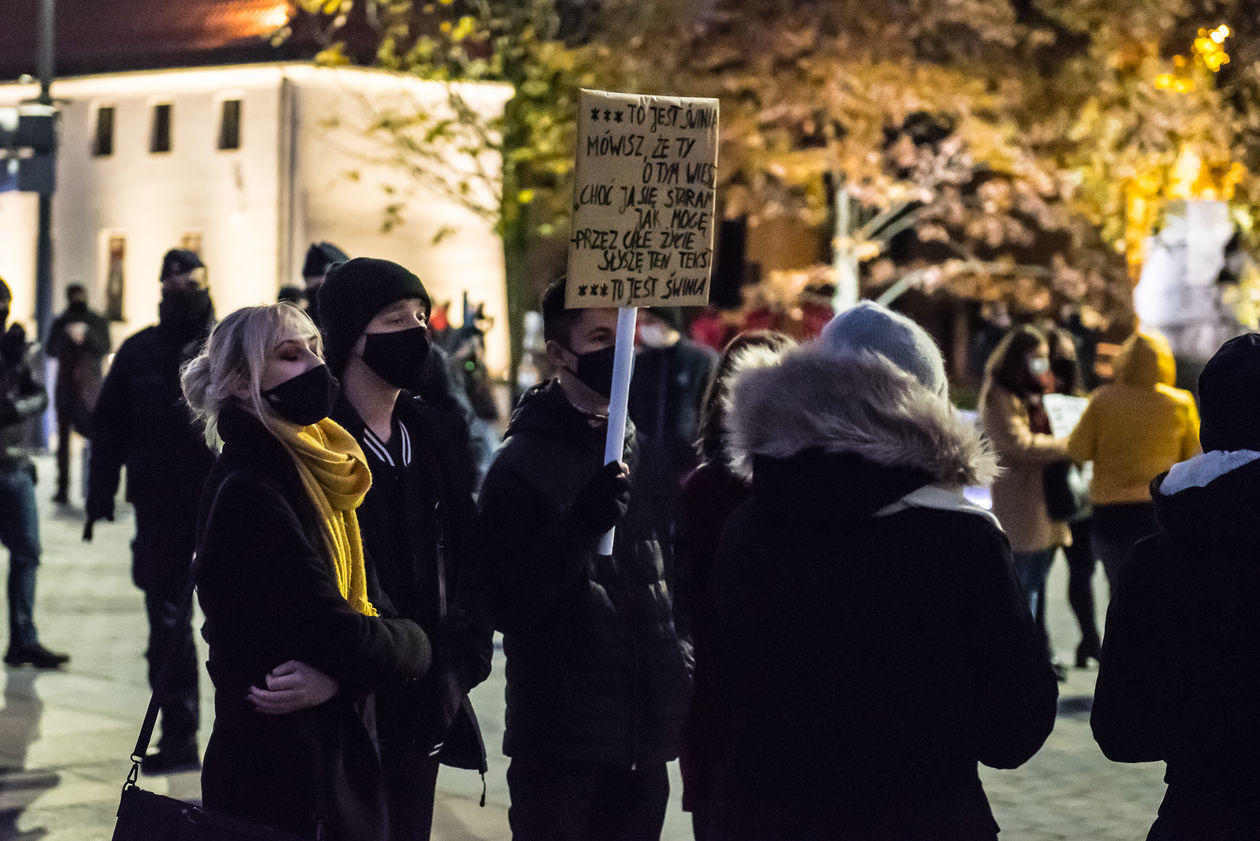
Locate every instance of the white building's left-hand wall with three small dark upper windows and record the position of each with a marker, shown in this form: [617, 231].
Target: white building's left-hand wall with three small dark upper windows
[154, 200]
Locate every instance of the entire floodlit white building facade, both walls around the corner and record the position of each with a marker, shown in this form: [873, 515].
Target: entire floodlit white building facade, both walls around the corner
[258, 209]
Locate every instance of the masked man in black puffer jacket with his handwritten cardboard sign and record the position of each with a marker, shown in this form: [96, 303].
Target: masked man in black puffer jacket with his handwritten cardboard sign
[598, 676]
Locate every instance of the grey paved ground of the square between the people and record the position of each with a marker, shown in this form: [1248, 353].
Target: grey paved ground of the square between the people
[65, 737]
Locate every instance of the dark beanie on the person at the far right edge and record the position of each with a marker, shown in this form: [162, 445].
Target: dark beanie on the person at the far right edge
[1229, 397]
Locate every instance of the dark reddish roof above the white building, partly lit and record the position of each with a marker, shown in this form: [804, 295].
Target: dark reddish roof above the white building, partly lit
[94, 37]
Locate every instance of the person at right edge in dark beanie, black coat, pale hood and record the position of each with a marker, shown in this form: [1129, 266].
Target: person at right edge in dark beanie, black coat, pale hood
[1180, 679]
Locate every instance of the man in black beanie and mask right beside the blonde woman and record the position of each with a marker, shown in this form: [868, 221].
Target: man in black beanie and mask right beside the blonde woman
[416, 525]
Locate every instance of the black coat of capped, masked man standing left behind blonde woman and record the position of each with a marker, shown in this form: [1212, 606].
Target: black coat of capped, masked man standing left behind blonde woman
[142, 422]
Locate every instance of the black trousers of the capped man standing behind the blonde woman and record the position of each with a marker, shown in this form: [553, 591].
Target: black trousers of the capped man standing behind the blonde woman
[162, 554]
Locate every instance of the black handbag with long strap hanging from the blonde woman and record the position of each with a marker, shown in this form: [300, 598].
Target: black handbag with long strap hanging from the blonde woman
[146, 816]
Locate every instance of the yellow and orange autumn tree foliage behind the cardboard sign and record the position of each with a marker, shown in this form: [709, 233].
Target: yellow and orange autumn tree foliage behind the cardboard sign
[981, 149]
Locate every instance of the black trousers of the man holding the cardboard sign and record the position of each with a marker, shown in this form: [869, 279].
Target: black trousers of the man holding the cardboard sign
[556, 800]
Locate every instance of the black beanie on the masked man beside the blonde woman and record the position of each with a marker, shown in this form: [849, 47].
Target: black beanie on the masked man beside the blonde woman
[353, 293]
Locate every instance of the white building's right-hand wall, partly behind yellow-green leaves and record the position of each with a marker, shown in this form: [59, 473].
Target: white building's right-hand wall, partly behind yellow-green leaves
[350, 212]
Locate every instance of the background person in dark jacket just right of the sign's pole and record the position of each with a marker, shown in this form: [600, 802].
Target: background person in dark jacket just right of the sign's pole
[671, 375]
